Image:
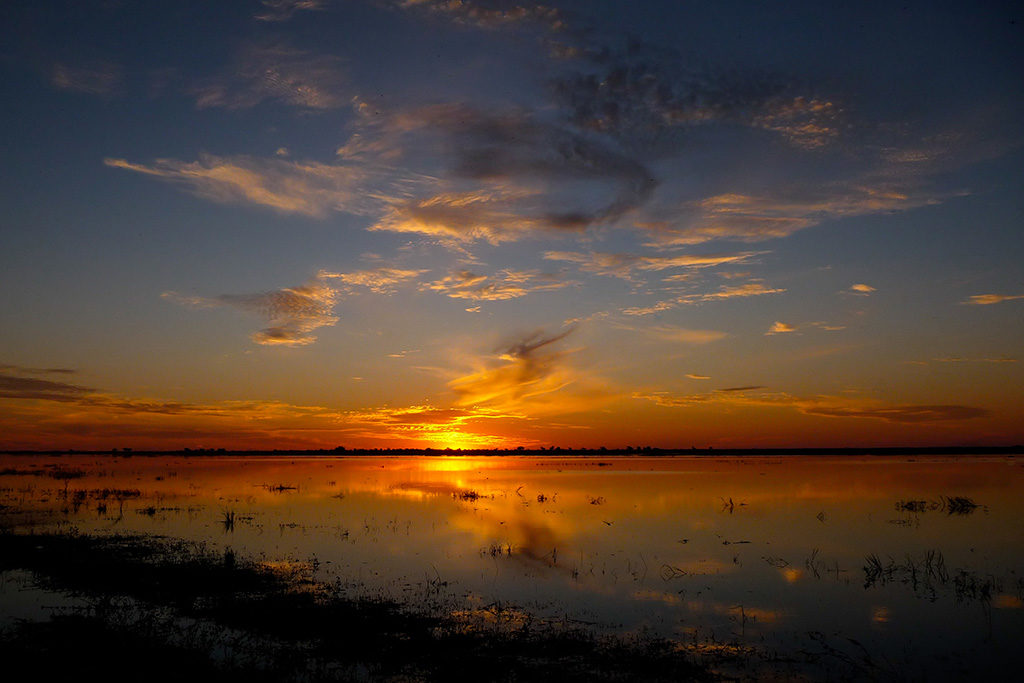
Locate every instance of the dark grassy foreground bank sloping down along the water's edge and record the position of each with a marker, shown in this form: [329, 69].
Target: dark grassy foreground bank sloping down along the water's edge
[163, 610]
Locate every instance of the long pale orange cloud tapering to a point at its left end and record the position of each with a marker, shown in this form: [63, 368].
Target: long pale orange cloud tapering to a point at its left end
[310, 189]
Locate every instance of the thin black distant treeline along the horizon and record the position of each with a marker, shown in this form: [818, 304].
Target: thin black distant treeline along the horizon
[646, 451]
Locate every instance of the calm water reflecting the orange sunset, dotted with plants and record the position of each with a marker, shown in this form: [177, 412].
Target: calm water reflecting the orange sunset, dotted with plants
[867, 561]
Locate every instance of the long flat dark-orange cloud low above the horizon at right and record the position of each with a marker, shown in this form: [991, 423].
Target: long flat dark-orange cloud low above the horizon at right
[832, 407]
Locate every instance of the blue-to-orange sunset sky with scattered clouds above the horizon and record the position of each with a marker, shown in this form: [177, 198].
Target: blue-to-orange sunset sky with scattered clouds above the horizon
[480, 224]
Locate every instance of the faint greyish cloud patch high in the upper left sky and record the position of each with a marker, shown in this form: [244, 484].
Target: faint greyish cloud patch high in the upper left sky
[277, 73]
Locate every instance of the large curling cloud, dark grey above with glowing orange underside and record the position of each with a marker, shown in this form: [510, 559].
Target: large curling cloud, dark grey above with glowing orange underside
[501, 177]
